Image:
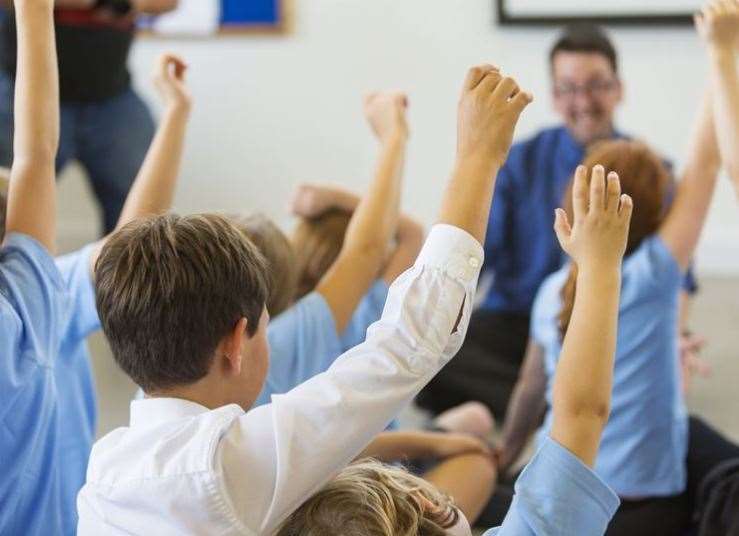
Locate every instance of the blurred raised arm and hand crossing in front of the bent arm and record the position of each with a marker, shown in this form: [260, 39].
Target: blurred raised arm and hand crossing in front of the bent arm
[375, 219]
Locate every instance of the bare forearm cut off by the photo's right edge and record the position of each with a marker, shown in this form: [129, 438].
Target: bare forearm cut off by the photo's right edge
[726, 108]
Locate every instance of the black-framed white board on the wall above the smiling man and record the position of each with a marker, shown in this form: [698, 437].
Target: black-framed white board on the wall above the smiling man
[541, 12]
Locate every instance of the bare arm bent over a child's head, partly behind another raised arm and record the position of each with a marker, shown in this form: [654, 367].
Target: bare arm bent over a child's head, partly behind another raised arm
[311, 201]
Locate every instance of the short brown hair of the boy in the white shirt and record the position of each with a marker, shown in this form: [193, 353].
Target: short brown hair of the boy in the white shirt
[170, 288]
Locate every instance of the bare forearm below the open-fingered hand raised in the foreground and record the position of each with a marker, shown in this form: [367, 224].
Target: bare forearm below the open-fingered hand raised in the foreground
[584, 377]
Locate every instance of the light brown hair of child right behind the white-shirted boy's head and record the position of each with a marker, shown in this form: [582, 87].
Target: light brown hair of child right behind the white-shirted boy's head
[280, 257]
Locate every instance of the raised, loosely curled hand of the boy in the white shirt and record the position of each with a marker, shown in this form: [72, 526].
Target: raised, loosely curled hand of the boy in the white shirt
[487, 114]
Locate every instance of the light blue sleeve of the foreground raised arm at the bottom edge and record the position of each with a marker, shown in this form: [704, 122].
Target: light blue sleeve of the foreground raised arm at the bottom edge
[558, 495]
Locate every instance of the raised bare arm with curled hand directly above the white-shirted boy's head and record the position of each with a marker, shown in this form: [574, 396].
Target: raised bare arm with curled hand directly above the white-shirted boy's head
[153, 189]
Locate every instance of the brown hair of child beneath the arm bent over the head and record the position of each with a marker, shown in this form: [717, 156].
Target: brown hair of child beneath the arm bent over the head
[317, 243]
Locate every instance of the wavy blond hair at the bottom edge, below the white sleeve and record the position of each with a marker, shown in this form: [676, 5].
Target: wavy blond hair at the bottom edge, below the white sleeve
[372, 499]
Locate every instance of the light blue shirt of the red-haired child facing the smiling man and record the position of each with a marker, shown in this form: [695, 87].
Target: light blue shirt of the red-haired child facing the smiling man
[643, 449]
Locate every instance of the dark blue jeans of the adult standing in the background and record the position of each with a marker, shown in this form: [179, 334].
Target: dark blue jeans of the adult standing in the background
[91, 134]
